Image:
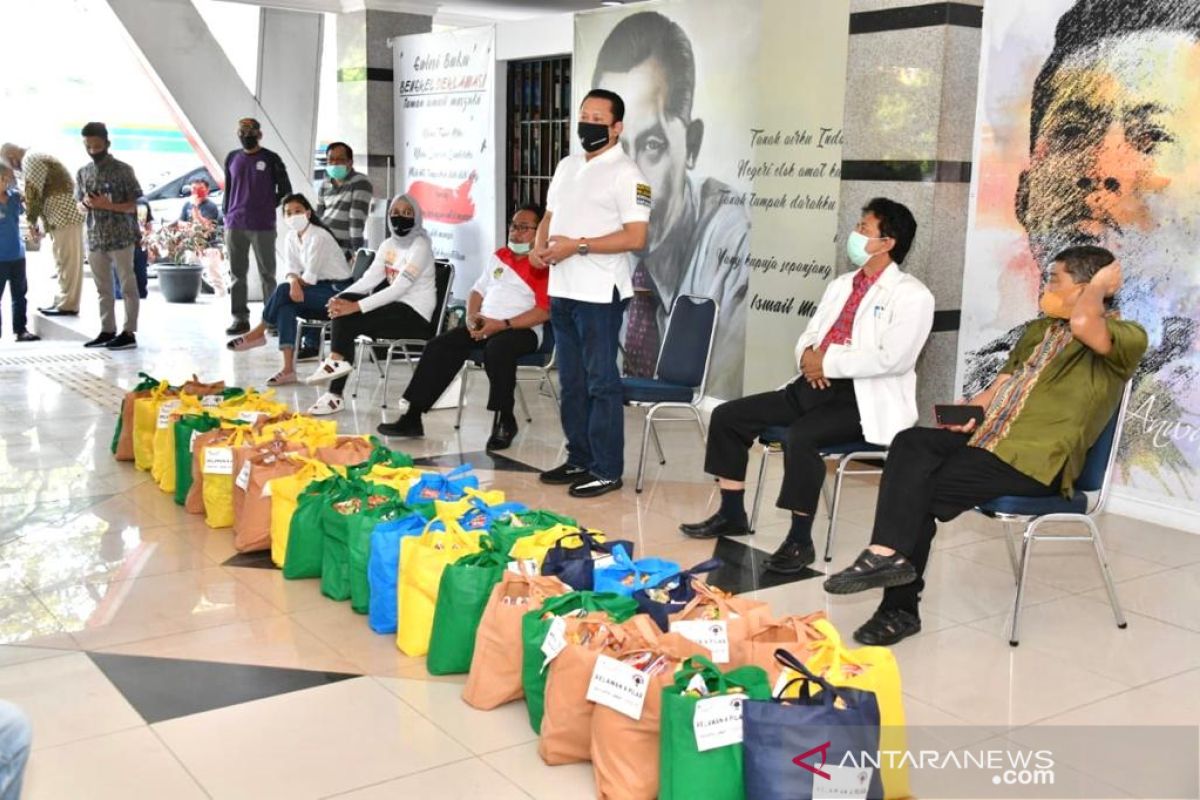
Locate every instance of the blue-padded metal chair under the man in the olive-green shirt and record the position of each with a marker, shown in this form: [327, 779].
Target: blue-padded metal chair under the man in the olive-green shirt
[1088, 502]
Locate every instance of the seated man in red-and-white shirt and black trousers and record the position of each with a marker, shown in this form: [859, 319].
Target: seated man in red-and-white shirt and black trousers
[507, 311]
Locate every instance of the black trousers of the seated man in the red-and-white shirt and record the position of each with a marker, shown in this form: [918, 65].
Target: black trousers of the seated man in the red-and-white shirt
[445, 357]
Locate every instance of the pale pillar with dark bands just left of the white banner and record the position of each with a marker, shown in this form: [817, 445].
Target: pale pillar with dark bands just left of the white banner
[365, 95]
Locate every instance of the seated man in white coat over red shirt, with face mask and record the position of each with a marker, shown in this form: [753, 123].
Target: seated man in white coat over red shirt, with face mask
[859, 382]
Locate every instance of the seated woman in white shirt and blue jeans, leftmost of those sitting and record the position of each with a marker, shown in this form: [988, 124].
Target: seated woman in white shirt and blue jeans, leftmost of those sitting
[317, 270]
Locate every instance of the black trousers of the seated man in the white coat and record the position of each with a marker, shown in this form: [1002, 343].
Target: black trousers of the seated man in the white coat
[814, 418]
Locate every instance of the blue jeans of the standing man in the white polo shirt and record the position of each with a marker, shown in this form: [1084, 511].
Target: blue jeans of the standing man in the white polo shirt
[593, 401]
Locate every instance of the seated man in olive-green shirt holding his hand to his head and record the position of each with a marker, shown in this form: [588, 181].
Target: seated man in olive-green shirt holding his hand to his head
[1043, 412]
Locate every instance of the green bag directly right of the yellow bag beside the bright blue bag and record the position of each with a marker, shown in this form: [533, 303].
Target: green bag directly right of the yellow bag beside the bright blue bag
[463, 596]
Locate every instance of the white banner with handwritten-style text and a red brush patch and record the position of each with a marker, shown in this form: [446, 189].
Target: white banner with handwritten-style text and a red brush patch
[445, 140]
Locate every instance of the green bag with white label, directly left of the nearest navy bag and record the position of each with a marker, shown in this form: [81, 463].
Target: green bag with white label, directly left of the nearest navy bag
[706, 765]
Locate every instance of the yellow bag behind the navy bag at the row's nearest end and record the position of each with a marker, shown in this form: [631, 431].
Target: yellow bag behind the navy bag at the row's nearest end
[872, 670]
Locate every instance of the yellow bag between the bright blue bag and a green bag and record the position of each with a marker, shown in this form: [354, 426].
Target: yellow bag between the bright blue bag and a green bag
[422, 562]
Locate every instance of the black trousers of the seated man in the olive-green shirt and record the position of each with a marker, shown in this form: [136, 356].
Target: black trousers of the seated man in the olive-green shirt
[933, 474]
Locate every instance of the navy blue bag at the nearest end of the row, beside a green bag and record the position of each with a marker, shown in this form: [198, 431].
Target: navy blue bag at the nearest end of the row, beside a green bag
[789, 745]
